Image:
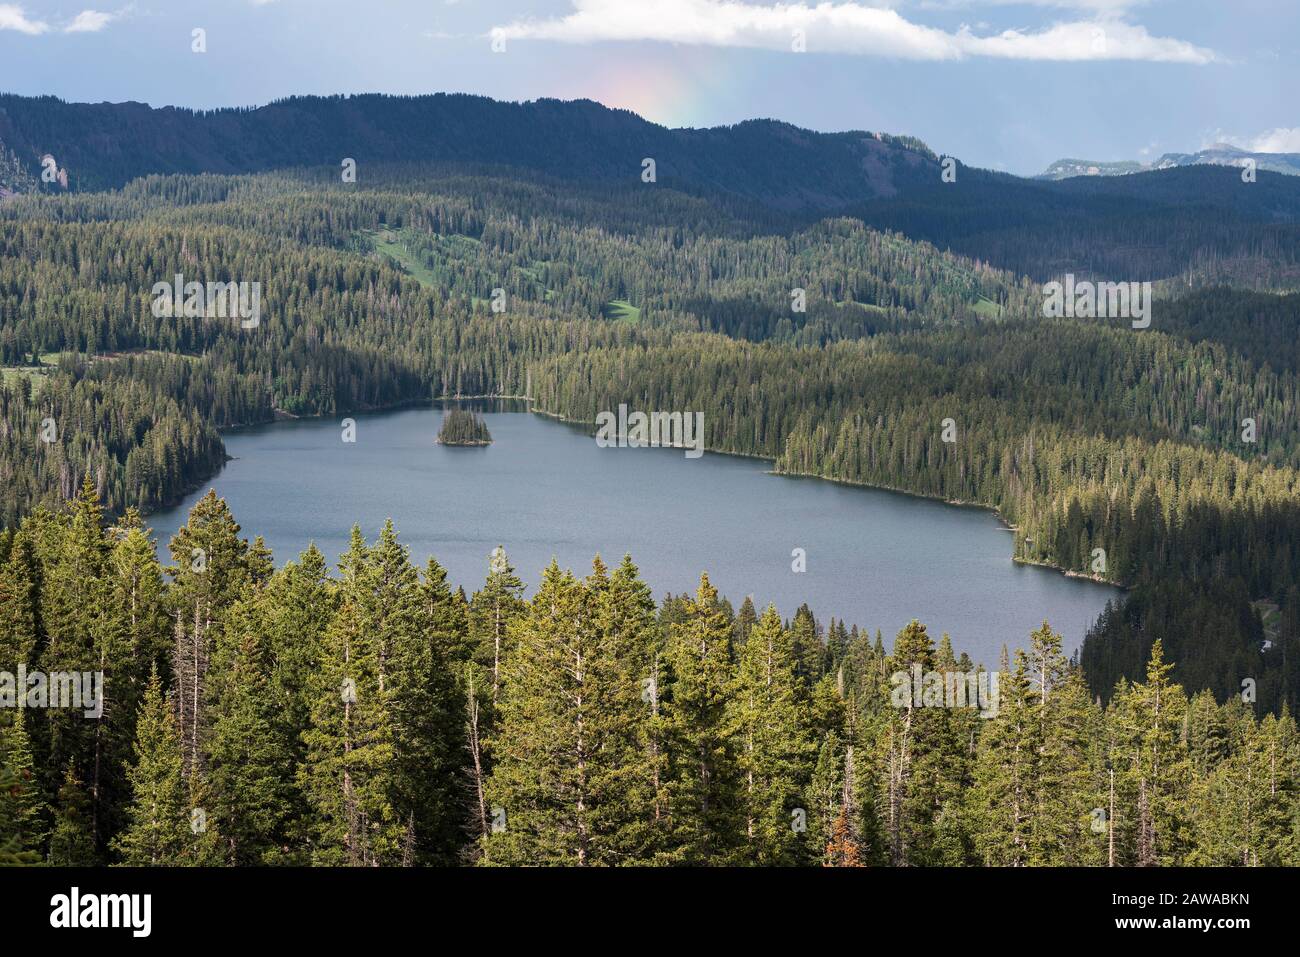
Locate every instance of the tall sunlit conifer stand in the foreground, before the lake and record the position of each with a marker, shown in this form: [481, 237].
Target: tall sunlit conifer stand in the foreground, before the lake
[382, 717]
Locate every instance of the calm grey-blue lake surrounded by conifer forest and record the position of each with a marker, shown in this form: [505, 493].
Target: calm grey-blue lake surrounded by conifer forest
[543, 488]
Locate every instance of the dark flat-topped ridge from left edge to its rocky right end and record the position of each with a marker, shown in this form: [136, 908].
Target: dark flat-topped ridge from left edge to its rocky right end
[105, 145]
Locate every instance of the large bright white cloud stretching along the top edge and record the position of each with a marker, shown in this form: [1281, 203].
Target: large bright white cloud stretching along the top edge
[844, 28]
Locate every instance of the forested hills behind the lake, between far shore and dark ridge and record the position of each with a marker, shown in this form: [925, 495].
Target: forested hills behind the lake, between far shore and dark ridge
[1085, 435]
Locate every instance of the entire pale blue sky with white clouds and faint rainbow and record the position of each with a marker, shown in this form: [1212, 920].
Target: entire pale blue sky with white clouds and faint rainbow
[999, 84]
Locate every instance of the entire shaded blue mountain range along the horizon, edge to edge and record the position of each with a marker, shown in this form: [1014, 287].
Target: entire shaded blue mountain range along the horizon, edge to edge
[1176, 220]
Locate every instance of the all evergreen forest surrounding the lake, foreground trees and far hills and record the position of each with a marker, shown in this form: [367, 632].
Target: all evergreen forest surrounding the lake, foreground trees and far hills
[356, 709]
